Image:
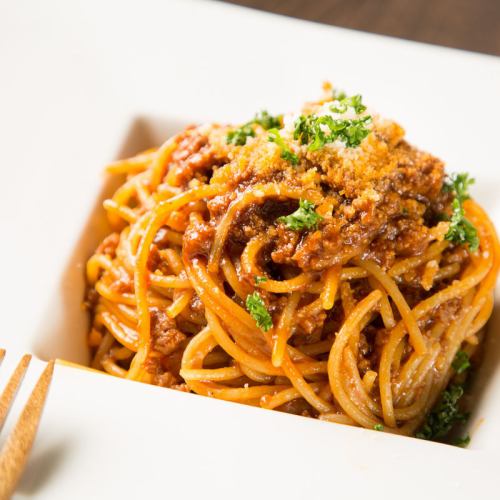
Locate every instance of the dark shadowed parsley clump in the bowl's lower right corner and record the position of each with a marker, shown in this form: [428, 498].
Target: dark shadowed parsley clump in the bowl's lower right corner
[444, 415]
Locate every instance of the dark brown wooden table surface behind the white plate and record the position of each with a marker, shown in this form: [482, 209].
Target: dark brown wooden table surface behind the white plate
[464, 24]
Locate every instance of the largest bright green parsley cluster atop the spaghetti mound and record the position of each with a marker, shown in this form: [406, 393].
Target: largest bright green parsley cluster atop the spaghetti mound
[320, 130]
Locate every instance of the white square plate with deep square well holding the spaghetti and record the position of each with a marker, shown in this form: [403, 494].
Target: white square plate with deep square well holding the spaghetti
[85, 82]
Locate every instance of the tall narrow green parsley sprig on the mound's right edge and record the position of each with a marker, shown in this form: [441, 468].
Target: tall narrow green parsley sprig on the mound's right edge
[461, 230]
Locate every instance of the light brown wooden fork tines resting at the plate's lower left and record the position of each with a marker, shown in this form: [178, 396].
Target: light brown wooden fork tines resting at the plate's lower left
[15, 452]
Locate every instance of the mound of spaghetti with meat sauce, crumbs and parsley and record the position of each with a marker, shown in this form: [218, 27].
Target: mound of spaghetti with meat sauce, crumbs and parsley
[309, 269]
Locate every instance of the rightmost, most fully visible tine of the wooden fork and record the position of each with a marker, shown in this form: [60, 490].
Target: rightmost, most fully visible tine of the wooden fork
[16, 450]
